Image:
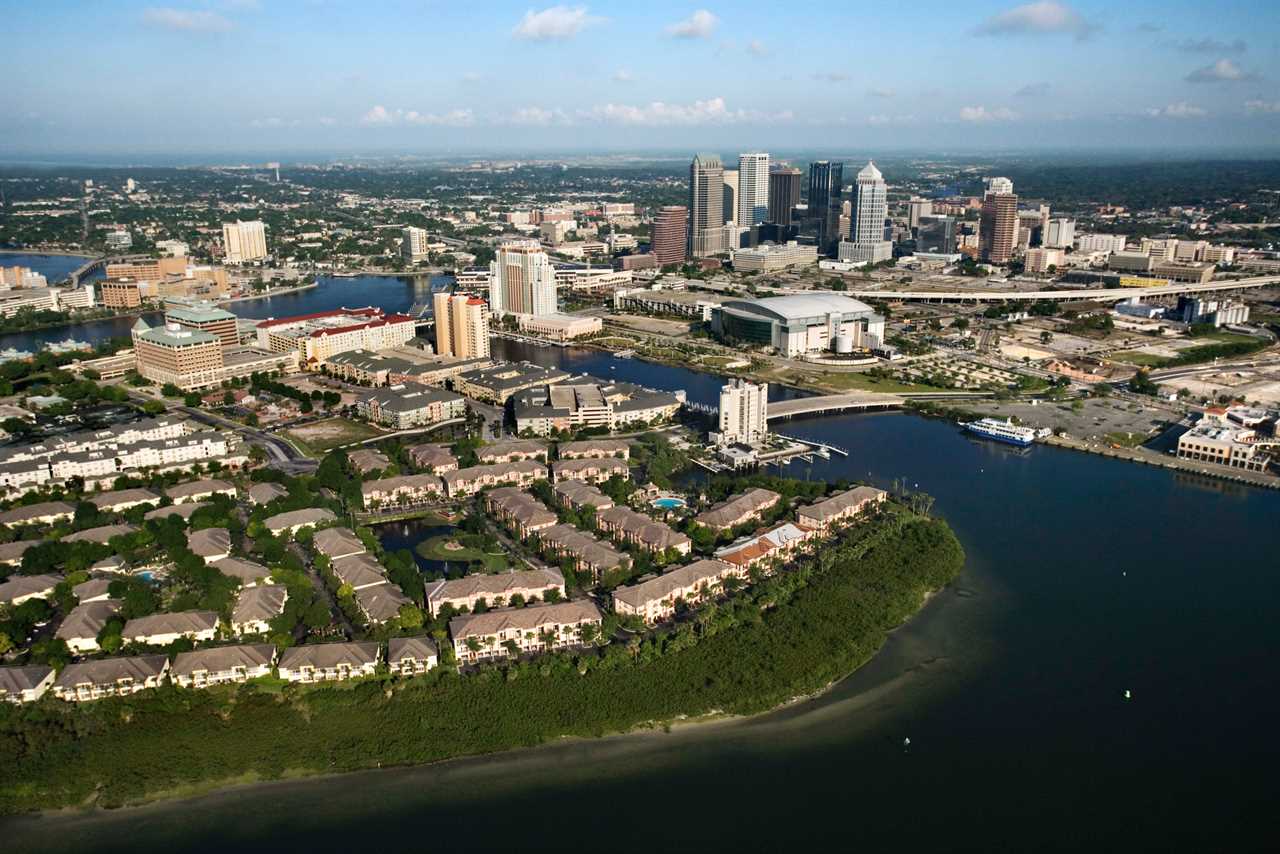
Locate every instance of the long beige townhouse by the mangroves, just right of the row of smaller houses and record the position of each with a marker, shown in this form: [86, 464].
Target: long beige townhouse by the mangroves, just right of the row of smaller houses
[534, 629]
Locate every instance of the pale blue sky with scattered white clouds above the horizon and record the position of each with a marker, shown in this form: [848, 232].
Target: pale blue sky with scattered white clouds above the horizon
[491, 76]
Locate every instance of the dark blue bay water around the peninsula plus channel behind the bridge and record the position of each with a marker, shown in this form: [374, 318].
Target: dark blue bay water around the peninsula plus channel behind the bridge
[1087, 579]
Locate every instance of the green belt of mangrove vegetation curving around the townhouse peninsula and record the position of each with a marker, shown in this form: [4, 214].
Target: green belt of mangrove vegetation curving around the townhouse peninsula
[784, 637]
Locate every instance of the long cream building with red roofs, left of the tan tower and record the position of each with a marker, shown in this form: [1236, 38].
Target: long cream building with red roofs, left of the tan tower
[317, 337]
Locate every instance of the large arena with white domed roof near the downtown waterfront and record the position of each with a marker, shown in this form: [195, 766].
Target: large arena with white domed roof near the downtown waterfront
[801, 325]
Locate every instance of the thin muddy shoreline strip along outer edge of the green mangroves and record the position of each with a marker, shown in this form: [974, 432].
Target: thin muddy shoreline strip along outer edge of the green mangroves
[646, 732]
